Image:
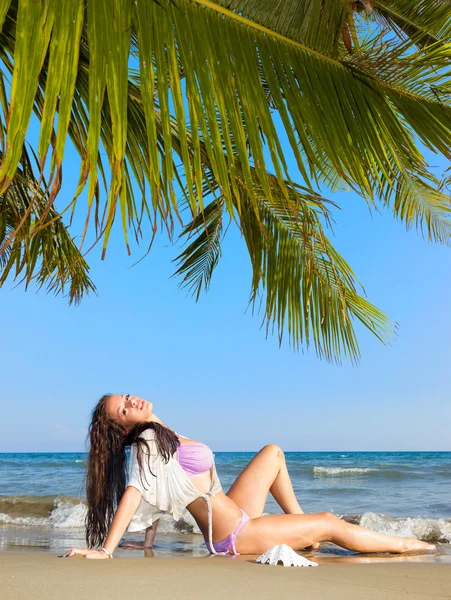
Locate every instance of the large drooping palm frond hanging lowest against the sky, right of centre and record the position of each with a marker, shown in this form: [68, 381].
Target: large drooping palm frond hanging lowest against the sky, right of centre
[308, 289]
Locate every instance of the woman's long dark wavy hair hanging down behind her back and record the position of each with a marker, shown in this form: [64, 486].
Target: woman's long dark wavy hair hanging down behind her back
[106, 476]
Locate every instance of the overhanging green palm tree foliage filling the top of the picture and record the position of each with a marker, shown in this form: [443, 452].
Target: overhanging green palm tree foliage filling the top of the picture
[358, 85]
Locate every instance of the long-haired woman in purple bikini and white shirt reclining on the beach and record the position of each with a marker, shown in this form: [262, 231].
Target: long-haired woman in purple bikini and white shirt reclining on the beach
[169, 473]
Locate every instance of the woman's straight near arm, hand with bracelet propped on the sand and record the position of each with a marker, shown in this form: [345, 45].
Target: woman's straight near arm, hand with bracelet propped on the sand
[126, 509]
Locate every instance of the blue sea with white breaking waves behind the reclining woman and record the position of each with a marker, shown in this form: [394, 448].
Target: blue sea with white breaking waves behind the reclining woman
[42, 499]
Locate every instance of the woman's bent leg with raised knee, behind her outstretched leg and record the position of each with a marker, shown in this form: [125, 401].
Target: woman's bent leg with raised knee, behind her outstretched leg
[266, 472]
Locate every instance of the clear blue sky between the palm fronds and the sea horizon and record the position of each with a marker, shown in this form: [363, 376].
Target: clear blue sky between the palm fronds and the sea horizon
[208, 367]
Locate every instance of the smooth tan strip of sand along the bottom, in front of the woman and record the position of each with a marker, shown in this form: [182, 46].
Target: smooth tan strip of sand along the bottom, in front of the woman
[38, 576]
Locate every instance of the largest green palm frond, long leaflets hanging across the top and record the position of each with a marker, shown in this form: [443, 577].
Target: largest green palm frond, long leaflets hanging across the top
[341, 121]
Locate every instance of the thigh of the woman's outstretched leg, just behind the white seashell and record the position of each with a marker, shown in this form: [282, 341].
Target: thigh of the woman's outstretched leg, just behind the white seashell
[298, 531]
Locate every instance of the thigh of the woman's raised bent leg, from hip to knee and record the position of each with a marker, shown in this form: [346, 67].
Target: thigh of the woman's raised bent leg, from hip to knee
[251, 487]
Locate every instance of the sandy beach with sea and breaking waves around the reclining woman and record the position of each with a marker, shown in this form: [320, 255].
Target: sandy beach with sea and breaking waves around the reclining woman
[42, 511]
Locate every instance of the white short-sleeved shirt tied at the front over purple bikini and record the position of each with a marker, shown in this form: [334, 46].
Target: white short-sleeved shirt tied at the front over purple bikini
[168, 490]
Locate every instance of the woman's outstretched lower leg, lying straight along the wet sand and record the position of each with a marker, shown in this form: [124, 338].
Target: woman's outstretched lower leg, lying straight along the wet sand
[300, 531]
